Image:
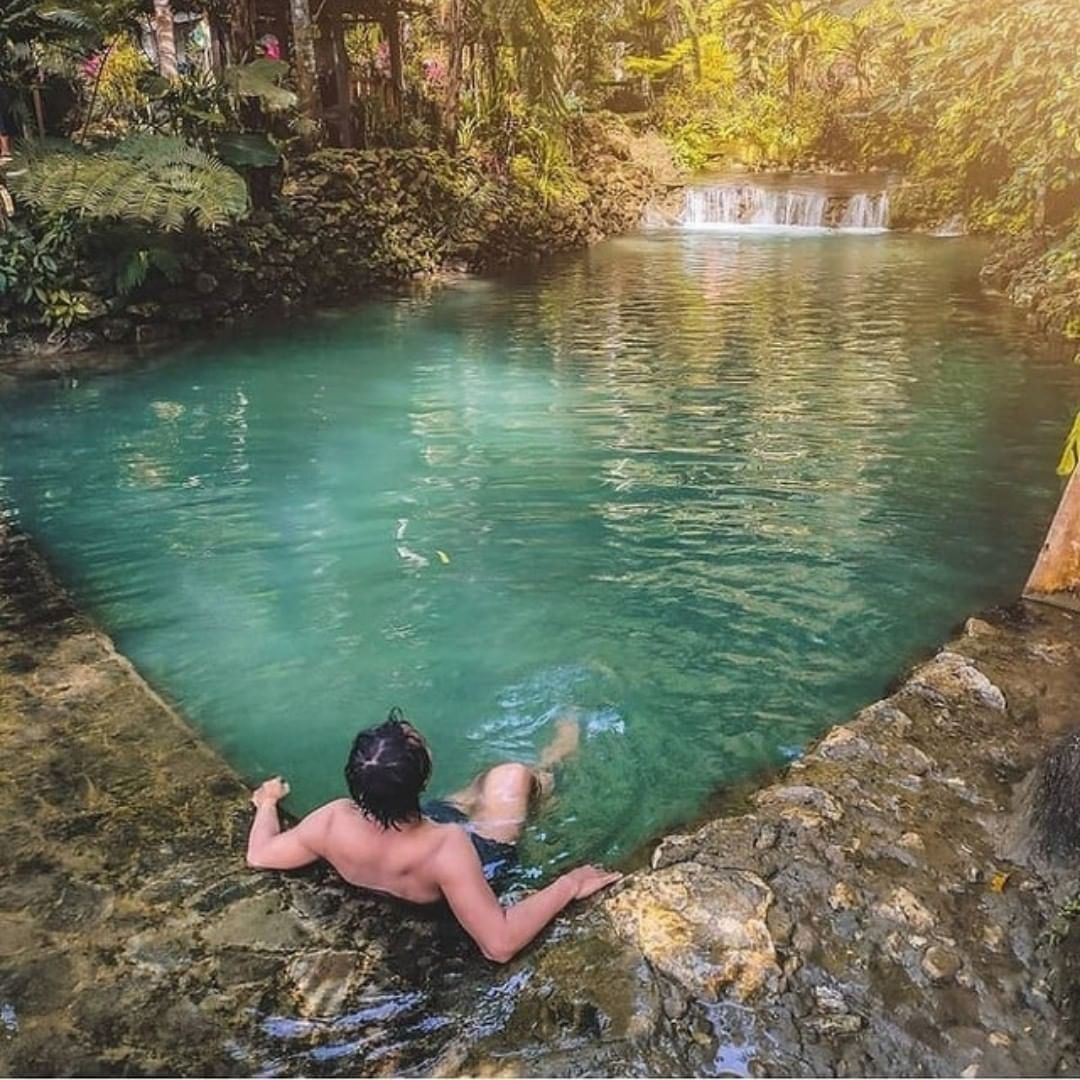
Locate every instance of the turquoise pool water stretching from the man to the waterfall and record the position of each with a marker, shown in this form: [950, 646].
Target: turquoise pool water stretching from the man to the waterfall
[711, 490]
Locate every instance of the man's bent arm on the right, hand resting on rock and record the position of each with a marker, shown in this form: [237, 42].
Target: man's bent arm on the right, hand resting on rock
[503, 933]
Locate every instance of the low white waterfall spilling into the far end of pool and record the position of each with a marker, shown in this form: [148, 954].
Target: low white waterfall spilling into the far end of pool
[741, 205]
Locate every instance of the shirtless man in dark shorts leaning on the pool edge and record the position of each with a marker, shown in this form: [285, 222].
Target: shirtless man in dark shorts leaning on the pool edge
[385, 840]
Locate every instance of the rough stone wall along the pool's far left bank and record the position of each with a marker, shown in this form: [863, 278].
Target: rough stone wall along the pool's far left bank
[353, 221]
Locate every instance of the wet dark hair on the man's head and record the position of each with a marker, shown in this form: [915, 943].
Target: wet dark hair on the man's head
[388, 768]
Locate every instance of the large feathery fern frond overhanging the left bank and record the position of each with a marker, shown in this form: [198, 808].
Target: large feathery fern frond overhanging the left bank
[154, 180]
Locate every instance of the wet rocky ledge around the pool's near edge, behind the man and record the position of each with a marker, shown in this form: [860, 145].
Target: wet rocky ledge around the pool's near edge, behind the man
[880, 910]
